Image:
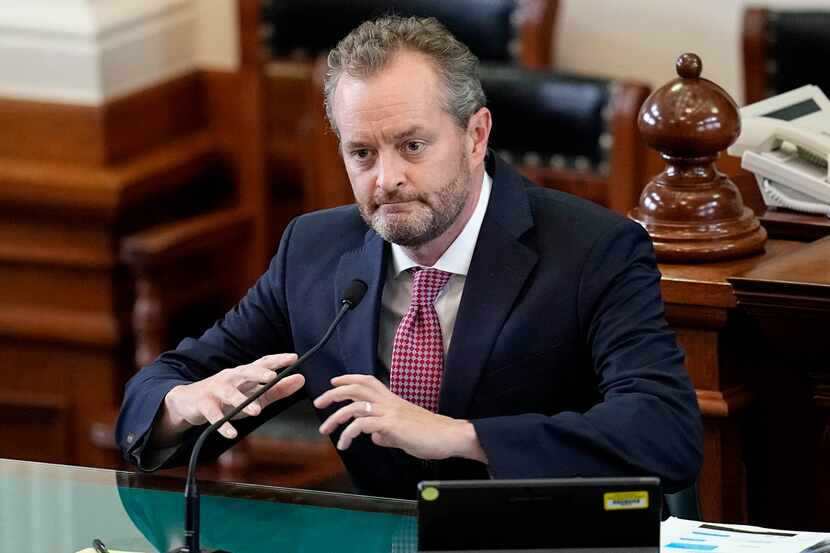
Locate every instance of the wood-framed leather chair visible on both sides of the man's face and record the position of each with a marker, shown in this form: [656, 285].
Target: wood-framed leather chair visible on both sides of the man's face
[569, 132]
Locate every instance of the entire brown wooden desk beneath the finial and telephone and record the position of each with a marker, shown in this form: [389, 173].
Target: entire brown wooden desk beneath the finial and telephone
[754, 331]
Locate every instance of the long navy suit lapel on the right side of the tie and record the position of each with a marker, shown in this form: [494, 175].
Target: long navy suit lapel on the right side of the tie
[500, 265]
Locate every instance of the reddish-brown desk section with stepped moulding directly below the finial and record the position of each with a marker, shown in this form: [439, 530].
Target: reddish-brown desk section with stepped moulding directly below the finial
[702, 308]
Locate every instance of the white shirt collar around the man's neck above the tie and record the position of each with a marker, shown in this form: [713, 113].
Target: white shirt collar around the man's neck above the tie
[457, 258]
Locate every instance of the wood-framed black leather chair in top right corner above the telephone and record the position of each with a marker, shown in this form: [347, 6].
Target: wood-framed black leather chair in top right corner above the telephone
[784, 50]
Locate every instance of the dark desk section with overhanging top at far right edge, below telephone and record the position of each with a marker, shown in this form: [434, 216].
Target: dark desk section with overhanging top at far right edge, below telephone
[789, 299]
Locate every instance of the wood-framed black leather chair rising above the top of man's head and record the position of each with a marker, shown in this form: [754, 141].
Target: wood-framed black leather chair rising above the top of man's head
[518, 32]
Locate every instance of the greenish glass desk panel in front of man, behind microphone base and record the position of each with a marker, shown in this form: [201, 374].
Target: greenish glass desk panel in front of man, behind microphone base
[56, 508]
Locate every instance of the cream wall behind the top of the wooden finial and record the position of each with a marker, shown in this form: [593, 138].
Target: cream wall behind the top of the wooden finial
[642, 38]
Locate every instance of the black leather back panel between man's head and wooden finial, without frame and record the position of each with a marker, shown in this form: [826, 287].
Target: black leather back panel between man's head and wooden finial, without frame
[548, 119]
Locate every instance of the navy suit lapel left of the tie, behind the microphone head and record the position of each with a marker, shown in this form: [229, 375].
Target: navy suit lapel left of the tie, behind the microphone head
[358, 332]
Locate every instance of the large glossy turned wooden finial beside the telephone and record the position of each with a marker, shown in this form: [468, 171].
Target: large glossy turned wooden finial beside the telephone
[692, 211]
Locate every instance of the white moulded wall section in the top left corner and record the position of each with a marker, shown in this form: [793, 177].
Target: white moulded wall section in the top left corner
[88, 52]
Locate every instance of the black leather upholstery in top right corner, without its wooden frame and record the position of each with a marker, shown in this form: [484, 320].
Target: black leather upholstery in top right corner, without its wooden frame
[798, 47]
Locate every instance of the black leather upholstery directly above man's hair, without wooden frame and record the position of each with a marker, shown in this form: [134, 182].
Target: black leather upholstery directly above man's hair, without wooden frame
[306, 28]
